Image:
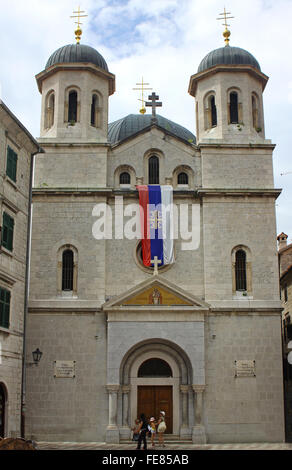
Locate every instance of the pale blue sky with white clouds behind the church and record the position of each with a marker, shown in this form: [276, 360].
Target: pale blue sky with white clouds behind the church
[162, 41]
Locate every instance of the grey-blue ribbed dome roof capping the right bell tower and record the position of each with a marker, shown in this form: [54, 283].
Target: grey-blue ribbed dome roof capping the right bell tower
[228, 55]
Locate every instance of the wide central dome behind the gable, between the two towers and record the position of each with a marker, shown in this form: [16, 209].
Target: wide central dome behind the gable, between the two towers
[133, 123]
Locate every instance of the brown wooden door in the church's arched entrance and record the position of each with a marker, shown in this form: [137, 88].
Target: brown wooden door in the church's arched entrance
[155, 398]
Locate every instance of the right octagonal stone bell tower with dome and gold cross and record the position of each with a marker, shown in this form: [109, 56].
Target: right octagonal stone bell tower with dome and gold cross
[228, 88]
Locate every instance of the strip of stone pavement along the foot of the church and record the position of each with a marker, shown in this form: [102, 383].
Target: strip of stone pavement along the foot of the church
[103, 446]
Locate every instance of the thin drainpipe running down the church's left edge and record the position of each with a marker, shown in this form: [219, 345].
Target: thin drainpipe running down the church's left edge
[26, 293]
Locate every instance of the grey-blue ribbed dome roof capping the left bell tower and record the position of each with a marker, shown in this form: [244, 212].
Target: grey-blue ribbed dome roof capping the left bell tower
[77, 53]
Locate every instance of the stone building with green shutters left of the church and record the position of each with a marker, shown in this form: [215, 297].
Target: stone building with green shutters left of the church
[17, 147]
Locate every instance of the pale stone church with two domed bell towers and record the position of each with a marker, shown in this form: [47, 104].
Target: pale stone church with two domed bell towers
[200, 339]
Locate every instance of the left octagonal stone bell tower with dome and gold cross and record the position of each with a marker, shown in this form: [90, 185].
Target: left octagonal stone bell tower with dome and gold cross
[75, 87]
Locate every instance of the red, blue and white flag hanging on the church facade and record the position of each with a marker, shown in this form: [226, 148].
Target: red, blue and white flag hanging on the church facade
[156, 215]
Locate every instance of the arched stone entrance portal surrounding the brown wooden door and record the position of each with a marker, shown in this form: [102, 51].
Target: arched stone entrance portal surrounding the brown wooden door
[156, 376]
